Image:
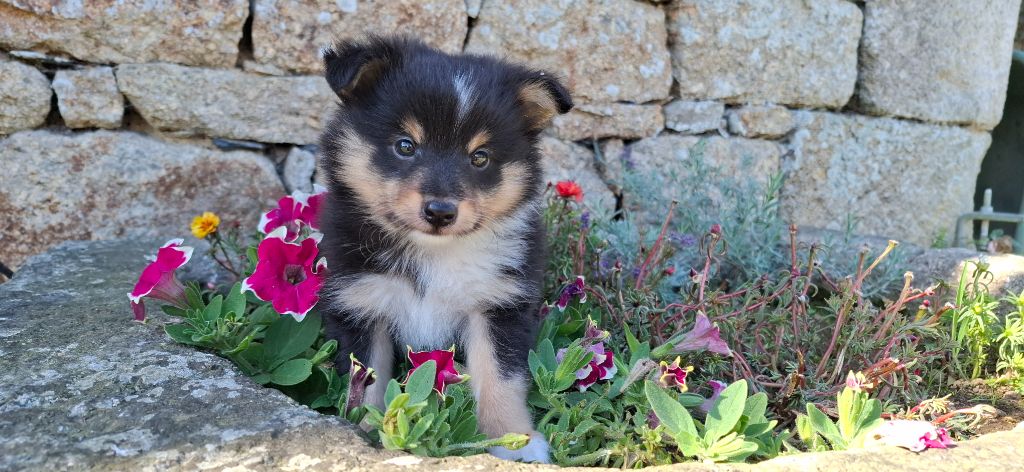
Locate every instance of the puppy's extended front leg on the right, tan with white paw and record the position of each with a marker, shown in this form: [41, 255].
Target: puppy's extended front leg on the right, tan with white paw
[497, 346]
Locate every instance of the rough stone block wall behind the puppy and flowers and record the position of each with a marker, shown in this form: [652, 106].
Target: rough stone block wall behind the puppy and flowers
[124, 119]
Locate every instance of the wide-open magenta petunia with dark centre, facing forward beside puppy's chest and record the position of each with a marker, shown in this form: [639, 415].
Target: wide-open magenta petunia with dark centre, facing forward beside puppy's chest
[288, 275]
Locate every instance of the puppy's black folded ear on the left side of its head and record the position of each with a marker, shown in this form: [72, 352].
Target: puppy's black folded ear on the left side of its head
[353, 69]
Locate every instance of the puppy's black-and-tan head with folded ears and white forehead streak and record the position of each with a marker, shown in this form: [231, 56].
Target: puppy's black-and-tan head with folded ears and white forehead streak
[432, 144]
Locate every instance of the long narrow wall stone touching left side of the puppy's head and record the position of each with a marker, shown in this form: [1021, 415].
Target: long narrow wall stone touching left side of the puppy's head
[190, 102]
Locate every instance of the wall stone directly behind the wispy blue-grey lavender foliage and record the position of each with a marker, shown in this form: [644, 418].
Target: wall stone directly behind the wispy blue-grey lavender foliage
[666, 164]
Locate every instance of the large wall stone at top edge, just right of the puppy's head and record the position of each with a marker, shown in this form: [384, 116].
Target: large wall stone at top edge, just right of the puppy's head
[608, 52]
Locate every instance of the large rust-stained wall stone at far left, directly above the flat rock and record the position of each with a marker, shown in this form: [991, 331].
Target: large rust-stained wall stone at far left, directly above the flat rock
[107, 185]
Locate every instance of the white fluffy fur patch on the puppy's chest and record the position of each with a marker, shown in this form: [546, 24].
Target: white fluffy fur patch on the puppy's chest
[457, 278]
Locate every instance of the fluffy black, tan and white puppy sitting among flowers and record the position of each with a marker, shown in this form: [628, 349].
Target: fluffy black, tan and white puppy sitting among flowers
[433, 228]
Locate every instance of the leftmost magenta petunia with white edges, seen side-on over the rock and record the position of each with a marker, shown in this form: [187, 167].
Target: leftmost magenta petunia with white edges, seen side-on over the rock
[158, 281]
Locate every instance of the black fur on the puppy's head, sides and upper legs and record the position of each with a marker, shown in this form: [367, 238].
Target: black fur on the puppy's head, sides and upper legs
[380, 82]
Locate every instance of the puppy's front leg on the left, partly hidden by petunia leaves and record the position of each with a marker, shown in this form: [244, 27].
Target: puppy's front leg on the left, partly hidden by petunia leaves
[371, 344]
